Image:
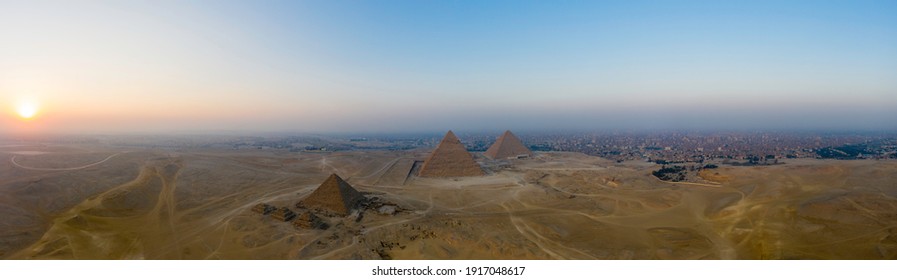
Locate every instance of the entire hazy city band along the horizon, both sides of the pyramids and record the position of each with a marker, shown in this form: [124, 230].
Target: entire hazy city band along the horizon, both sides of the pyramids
[660, 147]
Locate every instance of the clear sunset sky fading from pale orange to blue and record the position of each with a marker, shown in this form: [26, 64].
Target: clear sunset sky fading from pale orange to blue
[408, 66]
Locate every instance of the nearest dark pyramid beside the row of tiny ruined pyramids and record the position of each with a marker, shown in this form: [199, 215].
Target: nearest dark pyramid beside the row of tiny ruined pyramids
[334, 195]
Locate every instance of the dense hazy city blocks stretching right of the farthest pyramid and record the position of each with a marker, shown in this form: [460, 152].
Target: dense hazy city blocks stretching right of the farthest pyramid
[696, 146]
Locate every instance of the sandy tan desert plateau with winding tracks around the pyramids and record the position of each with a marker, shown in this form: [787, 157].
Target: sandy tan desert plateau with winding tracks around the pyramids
[102, 203]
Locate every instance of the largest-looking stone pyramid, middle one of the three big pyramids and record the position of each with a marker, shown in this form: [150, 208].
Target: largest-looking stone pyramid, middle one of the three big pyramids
[450, 159]
